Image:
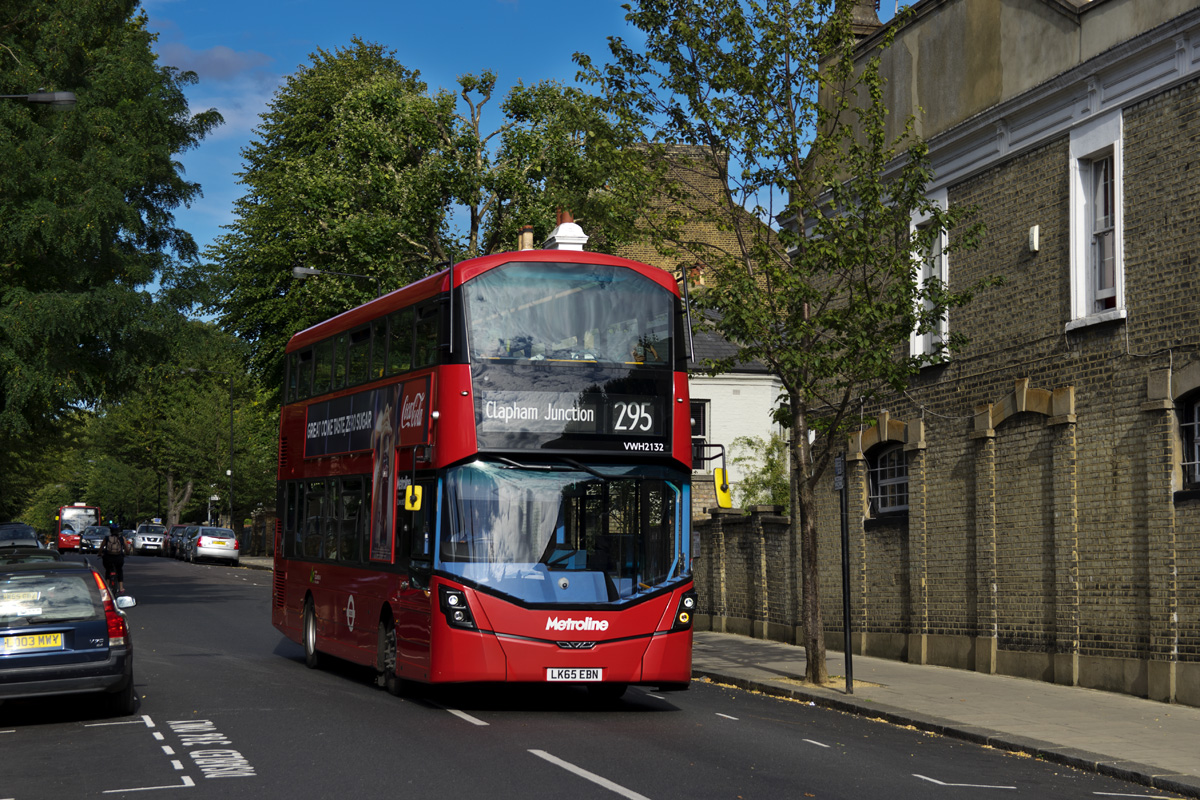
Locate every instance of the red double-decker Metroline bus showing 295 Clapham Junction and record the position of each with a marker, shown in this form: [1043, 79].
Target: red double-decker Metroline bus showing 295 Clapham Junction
[485, 477]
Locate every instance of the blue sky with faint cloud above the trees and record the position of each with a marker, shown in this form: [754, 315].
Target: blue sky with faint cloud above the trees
[244, 51]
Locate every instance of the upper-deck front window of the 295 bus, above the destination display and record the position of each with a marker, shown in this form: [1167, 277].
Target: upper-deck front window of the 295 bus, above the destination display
[569, 312]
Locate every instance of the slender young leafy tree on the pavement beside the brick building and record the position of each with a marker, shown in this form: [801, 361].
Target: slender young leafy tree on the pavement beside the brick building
[772, 99]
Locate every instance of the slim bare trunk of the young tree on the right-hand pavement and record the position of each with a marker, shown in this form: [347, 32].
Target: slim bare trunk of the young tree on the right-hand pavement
[805, 528]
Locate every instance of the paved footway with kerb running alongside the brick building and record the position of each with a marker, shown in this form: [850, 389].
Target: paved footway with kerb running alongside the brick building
[1139, 741]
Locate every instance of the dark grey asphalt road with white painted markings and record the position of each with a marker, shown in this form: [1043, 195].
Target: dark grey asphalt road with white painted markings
[230, 711]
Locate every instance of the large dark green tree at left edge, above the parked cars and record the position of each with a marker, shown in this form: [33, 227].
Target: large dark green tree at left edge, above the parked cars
[87, 204]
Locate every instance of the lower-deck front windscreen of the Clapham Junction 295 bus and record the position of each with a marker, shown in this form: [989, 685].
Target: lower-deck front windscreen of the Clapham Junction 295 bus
[562, 534]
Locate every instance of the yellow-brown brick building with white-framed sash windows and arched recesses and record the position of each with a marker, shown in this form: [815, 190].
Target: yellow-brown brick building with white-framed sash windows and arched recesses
[1033, 507]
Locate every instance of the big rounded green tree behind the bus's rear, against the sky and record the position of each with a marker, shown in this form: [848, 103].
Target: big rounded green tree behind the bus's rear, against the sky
[345, 177]
